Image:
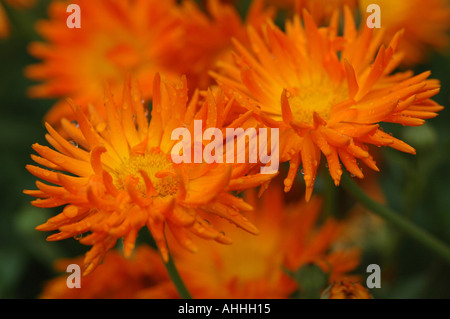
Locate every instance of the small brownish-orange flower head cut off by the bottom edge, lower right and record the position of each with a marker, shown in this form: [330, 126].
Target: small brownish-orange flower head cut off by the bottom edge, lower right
[346, 289]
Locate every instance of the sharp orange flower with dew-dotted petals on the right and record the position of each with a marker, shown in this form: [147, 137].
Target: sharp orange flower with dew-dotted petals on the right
[327, 93]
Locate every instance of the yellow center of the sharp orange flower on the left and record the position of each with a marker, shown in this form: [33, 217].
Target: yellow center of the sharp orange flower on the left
[158, 168]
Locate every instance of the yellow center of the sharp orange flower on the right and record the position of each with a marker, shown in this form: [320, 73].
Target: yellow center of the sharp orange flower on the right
[306, 100]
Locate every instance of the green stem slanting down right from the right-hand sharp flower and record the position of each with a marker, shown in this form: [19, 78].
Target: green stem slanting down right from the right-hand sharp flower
[397, 220]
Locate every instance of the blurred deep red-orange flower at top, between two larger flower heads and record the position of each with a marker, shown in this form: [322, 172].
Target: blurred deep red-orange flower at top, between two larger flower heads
[208, 36]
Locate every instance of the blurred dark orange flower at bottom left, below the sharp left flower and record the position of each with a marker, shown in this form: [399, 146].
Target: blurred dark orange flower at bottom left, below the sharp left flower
[120, 278]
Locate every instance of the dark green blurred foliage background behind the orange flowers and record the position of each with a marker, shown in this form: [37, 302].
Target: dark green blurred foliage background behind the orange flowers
[416, 186]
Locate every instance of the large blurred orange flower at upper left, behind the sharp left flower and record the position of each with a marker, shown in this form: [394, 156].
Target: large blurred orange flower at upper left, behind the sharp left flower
[116, 38]
